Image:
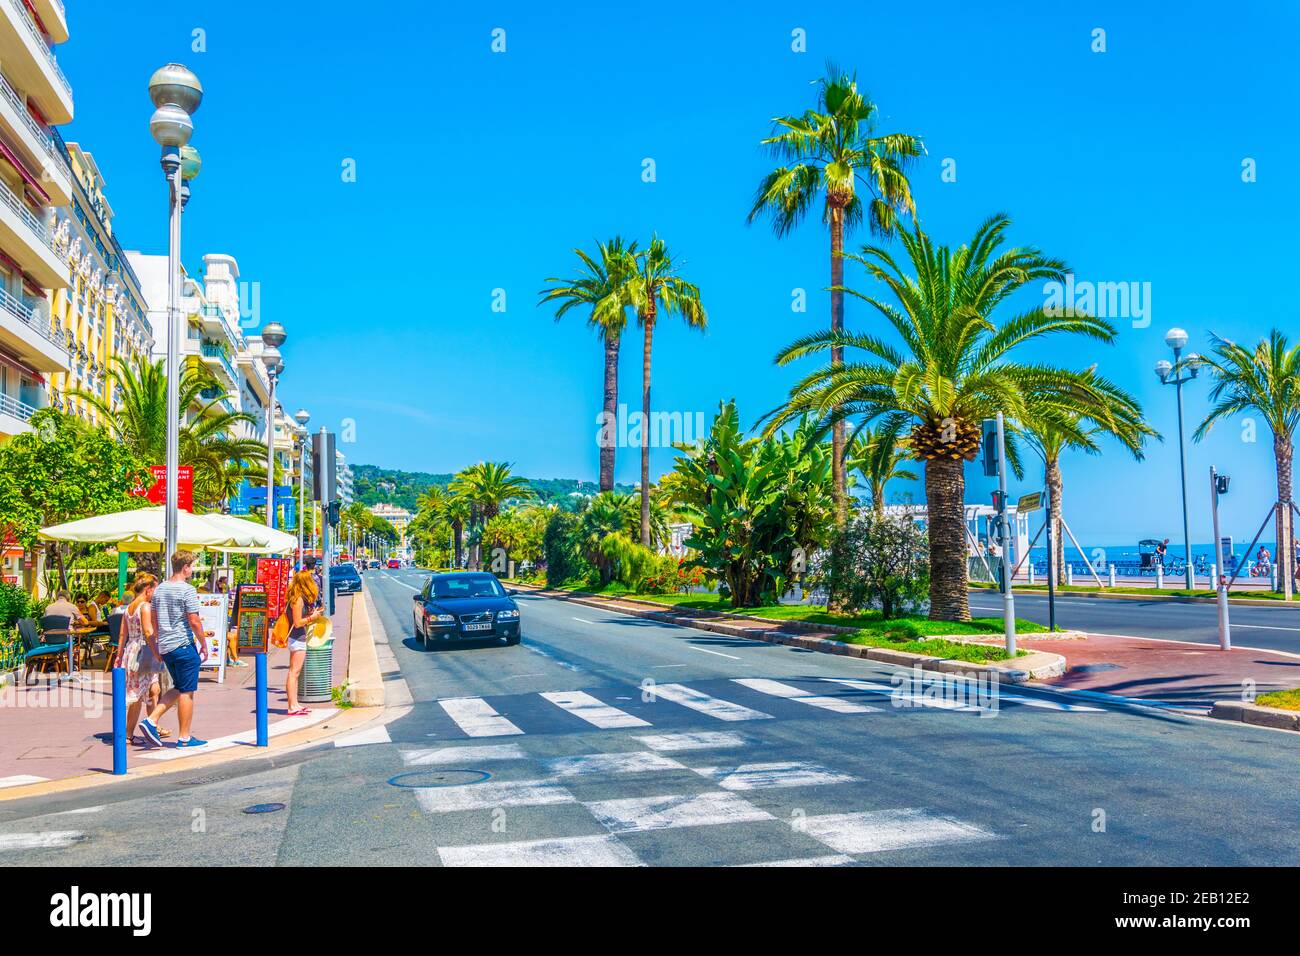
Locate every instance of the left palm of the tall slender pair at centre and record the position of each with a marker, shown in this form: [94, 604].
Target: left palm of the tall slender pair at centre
[601, 285]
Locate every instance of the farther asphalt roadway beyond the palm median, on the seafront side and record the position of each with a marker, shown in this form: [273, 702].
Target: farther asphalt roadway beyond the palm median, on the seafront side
[1271, 629]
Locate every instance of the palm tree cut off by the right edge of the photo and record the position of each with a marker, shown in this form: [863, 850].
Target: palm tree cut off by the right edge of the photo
[1264, 380]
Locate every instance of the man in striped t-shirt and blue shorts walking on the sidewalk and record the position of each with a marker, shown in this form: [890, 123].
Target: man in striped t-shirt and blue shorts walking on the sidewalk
[183, 646]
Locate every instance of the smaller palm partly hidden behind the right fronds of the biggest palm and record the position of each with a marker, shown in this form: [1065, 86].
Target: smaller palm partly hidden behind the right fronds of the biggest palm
[1125, 425]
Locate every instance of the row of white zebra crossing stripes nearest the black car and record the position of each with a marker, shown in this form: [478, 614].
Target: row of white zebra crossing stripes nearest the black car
[726, 700]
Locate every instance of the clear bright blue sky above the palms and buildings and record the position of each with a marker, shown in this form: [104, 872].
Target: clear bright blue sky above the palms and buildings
[480, 171]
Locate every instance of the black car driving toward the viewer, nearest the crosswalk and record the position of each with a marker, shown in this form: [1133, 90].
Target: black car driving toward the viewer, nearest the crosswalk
[465, 607]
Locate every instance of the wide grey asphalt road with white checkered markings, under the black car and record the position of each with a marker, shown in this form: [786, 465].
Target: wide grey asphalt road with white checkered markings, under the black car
[614, 741]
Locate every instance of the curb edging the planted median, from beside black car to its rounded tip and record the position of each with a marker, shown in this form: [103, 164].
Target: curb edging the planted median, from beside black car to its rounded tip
[1037, 665]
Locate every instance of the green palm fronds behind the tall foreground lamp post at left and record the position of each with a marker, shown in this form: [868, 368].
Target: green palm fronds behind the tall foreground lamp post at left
[207, 443]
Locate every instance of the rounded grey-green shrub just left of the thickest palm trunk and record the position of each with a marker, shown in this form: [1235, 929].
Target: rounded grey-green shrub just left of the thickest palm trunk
[877, 561]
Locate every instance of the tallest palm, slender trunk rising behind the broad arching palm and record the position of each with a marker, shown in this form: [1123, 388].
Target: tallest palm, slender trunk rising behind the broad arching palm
[830, 152]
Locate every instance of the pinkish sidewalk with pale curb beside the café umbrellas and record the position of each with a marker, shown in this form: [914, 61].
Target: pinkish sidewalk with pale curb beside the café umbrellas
[51, 732]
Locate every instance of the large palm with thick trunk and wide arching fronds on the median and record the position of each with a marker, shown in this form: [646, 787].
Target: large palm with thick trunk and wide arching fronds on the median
[955, 367]
